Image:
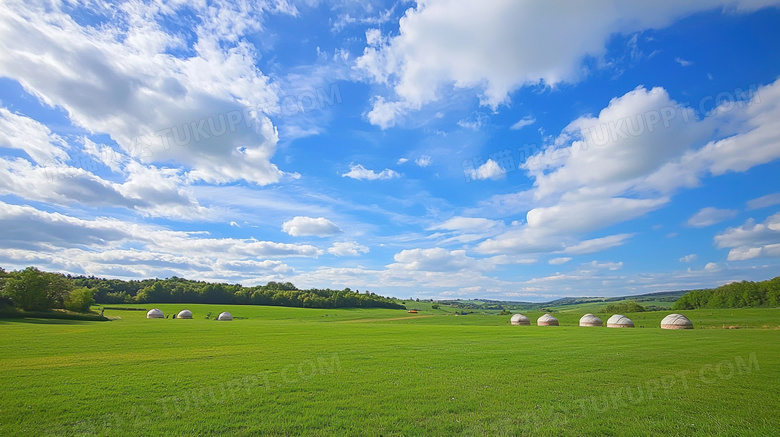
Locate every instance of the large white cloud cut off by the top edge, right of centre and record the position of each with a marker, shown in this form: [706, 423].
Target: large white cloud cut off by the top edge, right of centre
[484, 46]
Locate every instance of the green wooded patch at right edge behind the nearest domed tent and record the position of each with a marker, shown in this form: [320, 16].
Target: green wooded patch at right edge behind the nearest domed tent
[734, 295]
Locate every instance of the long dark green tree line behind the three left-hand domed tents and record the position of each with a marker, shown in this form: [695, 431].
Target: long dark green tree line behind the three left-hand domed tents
[32, 289]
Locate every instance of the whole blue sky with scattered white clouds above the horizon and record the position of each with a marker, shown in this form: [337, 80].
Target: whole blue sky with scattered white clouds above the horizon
[442, 149]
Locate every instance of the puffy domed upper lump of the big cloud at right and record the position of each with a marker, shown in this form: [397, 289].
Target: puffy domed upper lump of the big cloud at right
[631, 139]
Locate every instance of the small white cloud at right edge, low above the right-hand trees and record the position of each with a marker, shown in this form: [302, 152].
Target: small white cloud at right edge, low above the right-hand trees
[752, 240]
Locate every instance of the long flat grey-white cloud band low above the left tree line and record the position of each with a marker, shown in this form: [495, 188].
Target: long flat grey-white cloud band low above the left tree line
[116, 248]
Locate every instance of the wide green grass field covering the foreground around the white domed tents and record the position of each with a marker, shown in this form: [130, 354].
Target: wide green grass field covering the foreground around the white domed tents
[288, 371]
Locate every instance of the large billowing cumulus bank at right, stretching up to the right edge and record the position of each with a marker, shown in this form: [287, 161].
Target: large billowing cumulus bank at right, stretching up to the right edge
[629, 159]
